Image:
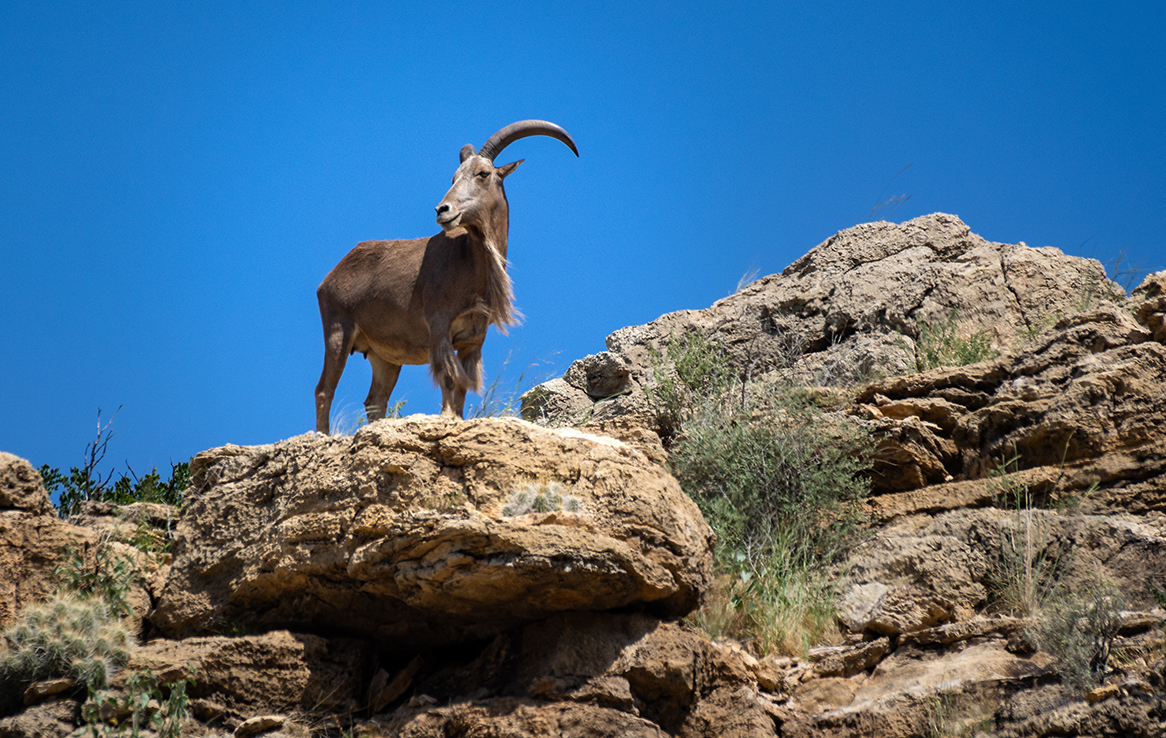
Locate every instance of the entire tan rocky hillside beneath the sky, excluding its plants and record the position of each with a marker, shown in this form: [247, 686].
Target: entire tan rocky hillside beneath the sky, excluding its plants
[404, 582]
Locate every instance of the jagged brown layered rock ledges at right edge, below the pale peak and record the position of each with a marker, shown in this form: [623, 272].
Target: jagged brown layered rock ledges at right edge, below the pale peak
[1090, 389]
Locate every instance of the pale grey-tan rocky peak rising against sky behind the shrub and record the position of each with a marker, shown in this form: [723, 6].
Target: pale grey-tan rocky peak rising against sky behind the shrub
[848, 311]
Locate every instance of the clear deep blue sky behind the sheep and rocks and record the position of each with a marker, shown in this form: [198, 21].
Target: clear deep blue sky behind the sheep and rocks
[177, 179]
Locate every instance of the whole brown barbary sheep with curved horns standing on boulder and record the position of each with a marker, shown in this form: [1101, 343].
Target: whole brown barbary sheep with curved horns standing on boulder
[429, 300]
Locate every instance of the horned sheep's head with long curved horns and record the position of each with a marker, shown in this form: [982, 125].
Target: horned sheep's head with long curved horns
[477, 193]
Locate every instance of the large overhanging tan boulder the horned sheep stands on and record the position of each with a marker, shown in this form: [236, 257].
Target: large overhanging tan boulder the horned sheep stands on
[402, 533]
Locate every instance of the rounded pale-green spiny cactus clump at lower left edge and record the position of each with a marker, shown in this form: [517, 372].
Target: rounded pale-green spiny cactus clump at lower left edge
[73, 637]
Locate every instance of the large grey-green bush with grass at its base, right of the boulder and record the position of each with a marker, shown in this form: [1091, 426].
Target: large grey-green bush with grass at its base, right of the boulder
[779, 483]
